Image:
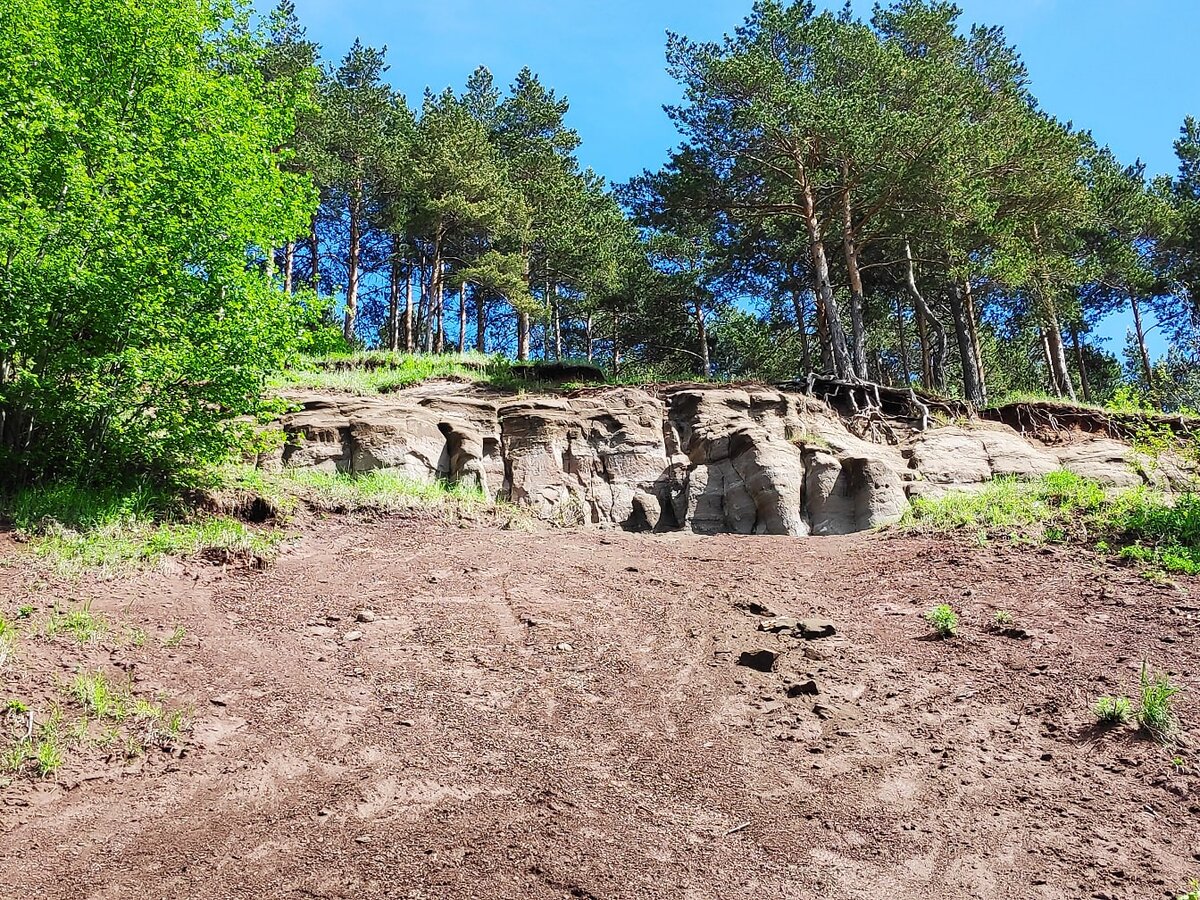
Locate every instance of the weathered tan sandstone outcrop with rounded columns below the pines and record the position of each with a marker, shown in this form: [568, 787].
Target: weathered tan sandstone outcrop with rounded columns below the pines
[711, 460]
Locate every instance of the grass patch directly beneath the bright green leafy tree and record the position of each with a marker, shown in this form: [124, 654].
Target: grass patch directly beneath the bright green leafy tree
[79, 527]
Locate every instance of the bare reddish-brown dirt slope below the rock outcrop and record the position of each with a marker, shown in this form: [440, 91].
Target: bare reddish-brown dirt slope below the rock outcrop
[562, 715]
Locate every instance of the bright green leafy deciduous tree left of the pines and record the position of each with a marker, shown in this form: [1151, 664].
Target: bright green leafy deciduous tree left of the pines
[136, 327]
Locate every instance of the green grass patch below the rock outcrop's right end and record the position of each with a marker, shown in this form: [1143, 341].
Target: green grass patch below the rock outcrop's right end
[1141, 525]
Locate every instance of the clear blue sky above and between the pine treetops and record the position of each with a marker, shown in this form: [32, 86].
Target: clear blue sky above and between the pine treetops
[1127, 70]
